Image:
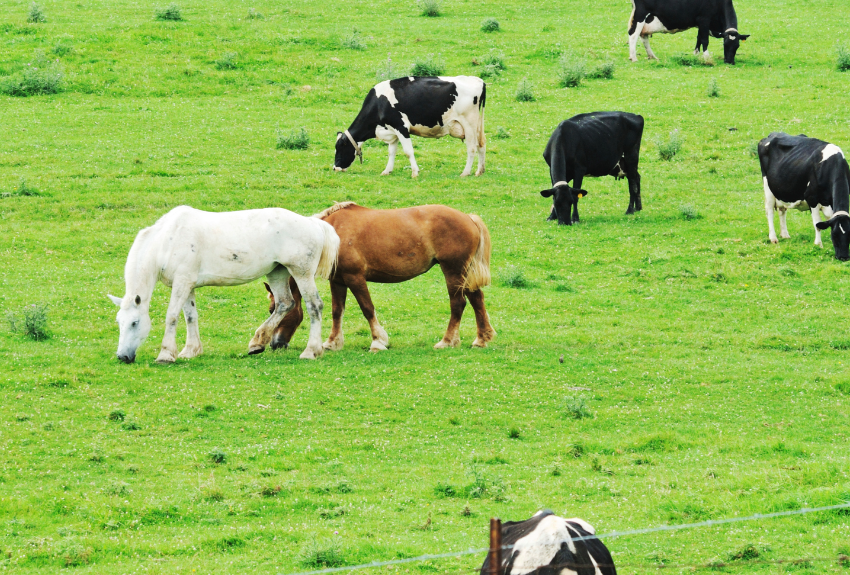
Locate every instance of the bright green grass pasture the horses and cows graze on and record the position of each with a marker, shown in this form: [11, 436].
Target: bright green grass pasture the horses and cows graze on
[710, 362]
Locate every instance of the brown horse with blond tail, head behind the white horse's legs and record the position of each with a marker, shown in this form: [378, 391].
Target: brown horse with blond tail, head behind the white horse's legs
[391, 246]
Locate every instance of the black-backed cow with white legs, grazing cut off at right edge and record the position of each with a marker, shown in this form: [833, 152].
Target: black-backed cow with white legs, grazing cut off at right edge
[807, 174]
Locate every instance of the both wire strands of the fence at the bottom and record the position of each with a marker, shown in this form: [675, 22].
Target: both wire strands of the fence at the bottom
[612, 534]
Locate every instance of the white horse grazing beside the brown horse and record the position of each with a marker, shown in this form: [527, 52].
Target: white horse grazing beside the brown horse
[187, 248]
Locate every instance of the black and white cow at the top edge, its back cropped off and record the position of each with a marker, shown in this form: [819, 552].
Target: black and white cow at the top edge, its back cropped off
[714, 17]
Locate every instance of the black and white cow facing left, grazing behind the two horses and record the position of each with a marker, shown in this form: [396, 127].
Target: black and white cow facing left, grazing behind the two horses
[427, 107]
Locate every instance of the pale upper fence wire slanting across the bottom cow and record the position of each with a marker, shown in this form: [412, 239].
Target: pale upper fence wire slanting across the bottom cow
[610, 534]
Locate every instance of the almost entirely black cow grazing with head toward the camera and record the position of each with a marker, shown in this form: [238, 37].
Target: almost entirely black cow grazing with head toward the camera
[595, 144]
